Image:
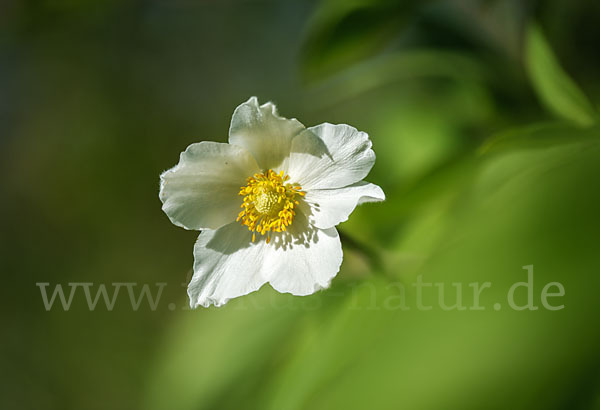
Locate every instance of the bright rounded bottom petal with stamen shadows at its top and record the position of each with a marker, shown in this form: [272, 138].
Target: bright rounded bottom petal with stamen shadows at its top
[305, 260]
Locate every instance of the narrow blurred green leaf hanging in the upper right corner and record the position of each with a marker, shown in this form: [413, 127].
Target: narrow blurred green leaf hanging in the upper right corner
[557, 91]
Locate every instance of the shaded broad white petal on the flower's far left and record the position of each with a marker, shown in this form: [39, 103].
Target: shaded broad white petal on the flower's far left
[201, 191]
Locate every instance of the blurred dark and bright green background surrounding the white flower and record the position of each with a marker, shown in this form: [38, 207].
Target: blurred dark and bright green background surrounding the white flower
[483, 116]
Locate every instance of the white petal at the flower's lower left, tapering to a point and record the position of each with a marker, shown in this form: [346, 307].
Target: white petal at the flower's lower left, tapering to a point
[227, 264]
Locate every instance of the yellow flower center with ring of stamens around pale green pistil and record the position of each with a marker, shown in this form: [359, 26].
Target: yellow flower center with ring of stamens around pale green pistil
[269, 203]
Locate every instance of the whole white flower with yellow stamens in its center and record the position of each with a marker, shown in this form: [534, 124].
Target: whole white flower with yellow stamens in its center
[268, 203]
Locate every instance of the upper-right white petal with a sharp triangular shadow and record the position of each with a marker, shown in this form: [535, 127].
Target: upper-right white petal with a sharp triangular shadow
[330, 156]
